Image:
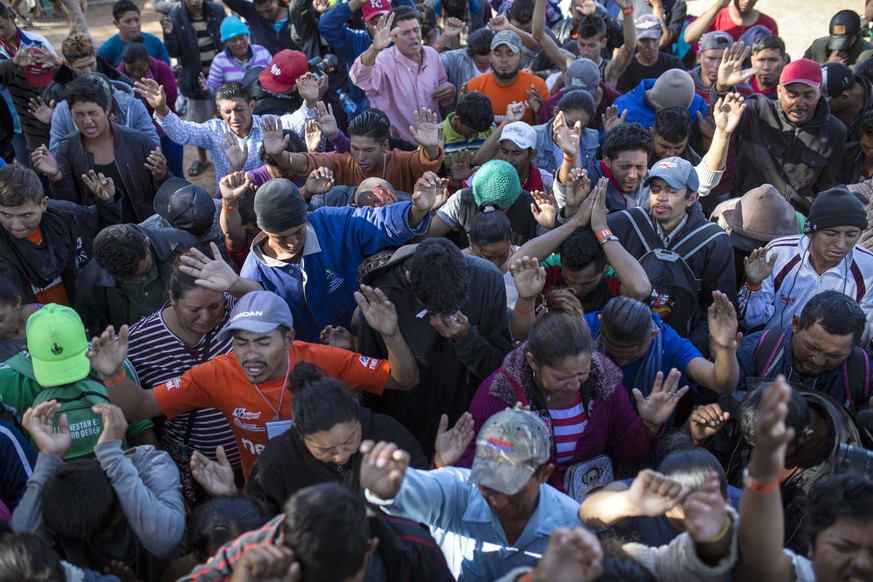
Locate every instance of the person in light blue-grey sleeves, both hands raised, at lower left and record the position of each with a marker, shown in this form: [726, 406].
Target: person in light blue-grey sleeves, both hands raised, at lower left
[124, 506]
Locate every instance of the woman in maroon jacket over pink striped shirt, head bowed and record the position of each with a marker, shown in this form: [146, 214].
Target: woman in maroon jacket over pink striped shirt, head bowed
[578, 392]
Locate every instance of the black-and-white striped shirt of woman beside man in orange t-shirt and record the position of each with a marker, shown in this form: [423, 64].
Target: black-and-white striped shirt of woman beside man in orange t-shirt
[158, 355]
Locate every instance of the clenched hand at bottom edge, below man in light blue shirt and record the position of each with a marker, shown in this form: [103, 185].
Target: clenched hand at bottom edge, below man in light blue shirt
[571, 556]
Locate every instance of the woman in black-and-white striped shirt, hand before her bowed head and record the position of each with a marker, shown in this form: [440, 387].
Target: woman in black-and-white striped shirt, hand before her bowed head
[182, 334]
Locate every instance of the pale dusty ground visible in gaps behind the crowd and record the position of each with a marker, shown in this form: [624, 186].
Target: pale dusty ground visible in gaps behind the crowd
[799, 23]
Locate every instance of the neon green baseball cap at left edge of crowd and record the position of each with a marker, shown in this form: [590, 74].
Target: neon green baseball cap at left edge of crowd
[58, 345]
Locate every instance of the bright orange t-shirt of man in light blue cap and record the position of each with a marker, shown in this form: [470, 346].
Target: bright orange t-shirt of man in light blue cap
[221, 384]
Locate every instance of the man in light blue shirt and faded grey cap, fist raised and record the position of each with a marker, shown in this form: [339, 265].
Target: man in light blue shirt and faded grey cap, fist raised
[489, 519]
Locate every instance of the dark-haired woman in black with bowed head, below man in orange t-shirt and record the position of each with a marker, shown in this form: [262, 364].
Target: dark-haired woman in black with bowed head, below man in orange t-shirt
[322, 445]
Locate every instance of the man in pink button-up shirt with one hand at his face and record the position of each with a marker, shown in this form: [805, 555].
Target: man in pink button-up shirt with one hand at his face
[404, 78]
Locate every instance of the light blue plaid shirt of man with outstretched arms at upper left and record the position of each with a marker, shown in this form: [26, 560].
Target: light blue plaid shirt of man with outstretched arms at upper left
[210, 136]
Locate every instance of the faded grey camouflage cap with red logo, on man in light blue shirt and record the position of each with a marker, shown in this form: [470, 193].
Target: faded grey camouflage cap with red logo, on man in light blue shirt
[510, 447]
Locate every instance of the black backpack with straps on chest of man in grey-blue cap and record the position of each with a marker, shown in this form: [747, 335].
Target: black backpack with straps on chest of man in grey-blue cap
[675, 287]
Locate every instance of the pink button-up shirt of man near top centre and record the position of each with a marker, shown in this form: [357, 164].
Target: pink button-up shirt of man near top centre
[398, 86]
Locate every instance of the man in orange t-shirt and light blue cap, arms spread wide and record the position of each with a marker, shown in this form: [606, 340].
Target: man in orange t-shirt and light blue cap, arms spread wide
[250, 385]
